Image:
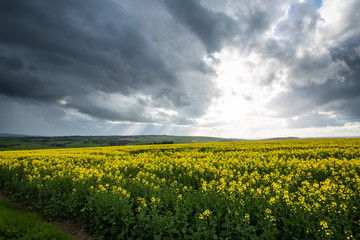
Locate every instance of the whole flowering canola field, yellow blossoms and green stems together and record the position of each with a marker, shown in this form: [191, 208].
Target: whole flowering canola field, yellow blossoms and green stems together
[298, 189]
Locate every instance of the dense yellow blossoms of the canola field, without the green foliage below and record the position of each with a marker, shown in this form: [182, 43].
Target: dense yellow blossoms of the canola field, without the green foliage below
[317, 177]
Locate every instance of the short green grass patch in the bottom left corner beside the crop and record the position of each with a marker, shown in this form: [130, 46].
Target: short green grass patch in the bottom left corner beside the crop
[17, 224]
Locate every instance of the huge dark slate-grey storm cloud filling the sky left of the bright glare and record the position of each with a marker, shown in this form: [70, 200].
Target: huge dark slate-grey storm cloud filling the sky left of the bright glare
[69, 50]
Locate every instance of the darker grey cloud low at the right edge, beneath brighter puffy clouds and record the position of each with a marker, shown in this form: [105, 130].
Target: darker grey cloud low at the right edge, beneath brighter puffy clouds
[340, 95]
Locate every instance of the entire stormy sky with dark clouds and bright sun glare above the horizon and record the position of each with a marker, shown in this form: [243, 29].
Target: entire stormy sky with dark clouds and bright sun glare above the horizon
[231, 68]
